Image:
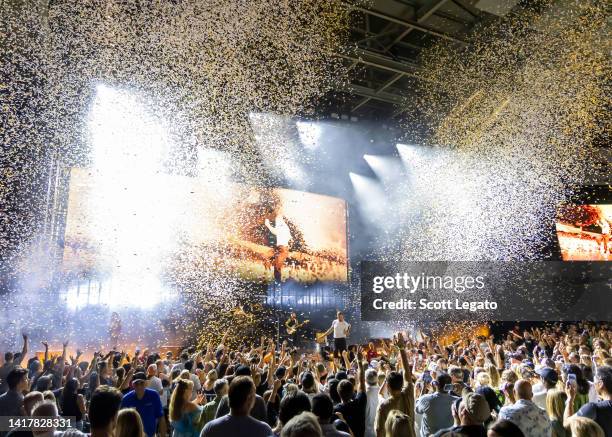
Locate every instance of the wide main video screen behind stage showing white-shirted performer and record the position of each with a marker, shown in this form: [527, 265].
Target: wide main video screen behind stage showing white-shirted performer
[162, 224]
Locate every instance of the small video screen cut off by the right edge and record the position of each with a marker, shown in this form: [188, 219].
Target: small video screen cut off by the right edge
[584, 232]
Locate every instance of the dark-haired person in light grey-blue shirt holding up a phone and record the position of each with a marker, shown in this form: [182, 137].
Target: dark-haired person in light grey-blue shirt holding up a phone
[436, 407]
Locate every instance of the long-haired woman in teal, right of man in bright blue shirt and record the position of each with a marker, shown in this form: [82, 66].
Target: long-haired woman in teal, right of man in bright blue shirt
[184, 412]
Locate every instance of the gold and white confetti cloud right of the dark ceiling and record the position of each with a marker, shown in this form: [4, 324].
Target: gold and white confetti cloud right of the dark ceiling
[512, 121]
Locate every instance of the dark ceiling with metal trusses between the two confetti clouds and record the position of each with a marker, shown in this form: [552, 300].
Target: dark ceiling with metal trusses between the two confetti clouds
[388, 37]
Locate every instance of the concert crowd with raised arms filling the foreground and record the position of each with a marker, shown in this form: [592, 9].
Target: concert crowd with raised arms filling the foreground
[553, 380]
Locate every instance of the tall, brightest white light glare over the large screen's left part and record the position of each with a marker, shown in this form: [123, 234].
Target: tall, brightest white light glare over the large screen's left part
[131, 200]
